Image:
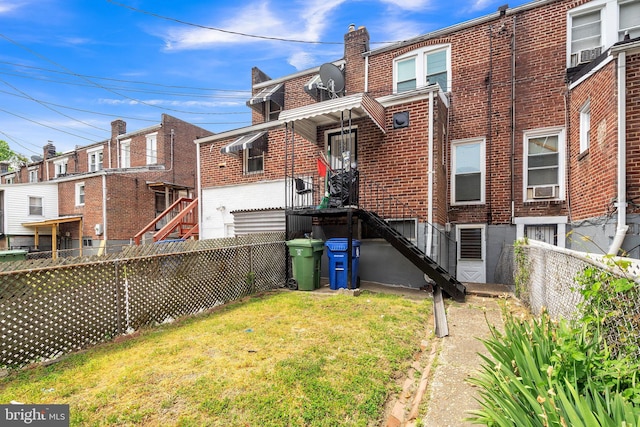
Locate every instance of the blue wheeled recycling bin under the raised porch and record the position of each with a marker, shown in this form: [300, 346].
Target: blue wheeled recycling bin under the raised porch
[337, 251]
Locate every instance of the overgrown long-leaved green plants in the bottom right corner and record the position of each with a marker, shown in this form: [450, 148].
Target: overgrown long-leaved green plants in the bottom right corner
[584, 373]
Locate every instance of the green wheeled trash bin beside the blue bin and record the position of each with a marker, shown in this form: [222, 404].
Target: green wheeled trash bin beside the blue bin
[306, 257]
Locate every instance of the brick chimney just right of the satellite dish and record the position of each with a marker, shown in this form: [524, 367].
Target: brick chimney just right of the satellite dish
[356, 43]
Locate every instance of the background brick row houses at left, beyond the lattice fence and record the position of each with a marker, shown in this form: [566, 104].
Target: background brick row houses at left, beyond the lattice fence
[119, 185]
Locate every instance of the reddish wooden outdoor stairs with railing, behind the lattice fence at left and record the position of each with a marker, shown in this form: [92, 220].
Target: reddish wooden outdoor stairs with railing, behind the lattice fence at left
[181, 219]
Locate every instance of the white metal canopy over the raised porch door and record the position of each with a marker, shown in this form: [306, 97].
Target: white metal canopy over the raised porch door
[308, 118]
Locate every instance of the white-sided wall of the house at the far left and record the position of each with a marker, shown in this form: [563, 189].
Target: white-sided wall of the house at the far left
[16, 206]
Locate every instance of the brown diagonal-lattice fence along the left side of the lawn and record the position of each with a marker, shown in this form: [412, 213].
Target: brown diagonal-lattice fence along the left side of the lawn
[51, 311]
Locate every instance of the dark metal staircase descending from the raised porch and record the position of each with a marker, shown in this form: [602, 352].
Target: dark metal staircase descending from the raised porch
[448, 283]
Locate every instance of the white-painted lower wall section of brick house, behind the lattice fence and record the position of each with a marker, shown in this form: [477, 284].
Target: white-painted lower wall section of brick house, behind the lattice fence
[218, 203]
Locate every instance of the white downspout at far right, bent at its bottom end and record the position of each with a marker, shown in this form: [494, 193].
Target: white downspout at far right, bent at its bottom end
[622, 157]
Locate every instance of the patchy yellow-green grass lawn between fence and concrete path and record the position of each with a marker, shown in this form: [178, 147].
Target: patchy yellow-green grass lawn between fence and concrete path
[277, 359]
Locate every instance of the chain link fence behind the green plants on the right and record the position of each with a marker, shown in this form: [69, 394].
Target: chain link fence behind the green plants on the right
[546, 280]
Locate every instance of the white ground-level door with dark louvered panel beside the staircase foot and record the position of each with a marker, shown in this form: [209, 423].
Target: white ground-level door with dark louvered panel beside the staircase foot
[471, 253]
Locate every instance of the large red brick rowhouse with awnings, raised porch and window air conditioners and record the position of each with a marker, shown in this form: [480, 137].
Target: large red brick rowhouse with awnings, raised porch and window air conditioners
[523, 135]
